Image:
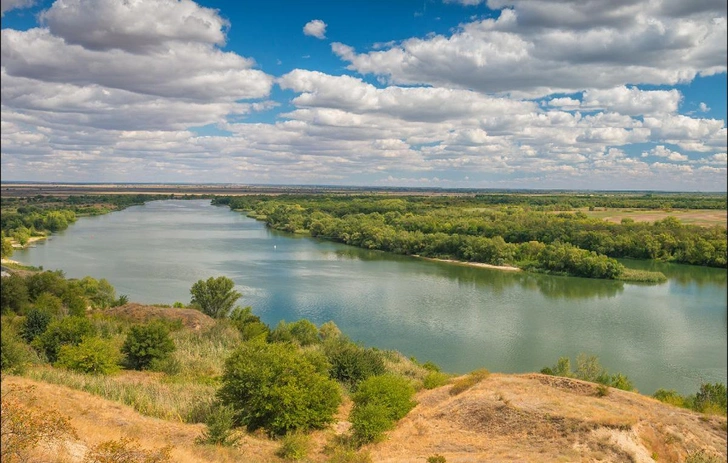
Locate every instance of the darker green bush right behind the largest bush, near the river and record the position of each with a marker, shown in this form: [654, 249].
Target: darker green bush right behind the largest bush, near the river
[350, 363]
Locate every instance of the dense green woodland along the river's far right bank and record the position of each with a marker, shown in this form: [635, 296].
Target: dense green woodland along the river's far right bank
[530, 232]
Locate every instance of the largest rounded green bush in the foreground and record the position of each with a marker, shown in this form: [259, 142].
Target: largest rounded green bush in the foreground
[274, 387]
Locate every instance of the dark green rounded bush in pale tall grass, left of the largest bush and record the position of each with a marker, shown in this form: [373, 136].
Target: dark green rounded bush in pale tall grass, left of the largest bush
[146, 343]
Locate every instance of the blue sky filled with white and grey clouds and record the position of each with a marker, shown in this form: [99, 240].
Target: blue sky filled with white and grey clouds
[535, 94]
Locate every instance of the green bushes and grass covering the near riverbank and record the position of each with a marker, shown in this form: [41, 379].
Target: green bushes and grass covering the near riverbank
[234, 373]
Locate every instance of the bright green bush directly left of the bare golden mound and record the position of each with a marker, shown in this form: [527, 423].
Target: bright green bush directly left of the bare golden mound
[380, 401]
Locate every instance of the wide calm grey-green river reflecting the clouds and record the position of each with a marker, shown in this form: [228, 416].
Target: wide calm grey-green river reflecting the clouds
[671, 335]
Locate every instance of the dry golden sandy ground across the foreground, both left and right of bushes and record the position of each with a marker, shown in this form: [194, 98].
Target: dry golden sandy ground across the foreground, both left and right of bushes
[513, 418]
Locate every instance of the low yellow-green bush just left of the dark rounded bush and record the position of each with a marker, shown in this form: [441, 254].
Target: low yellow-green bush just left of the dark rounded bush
[93, 355]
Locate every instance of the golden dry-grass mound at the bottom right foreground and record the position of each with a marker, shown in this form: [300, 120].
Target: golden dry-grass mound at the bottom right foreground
[536, 418]
